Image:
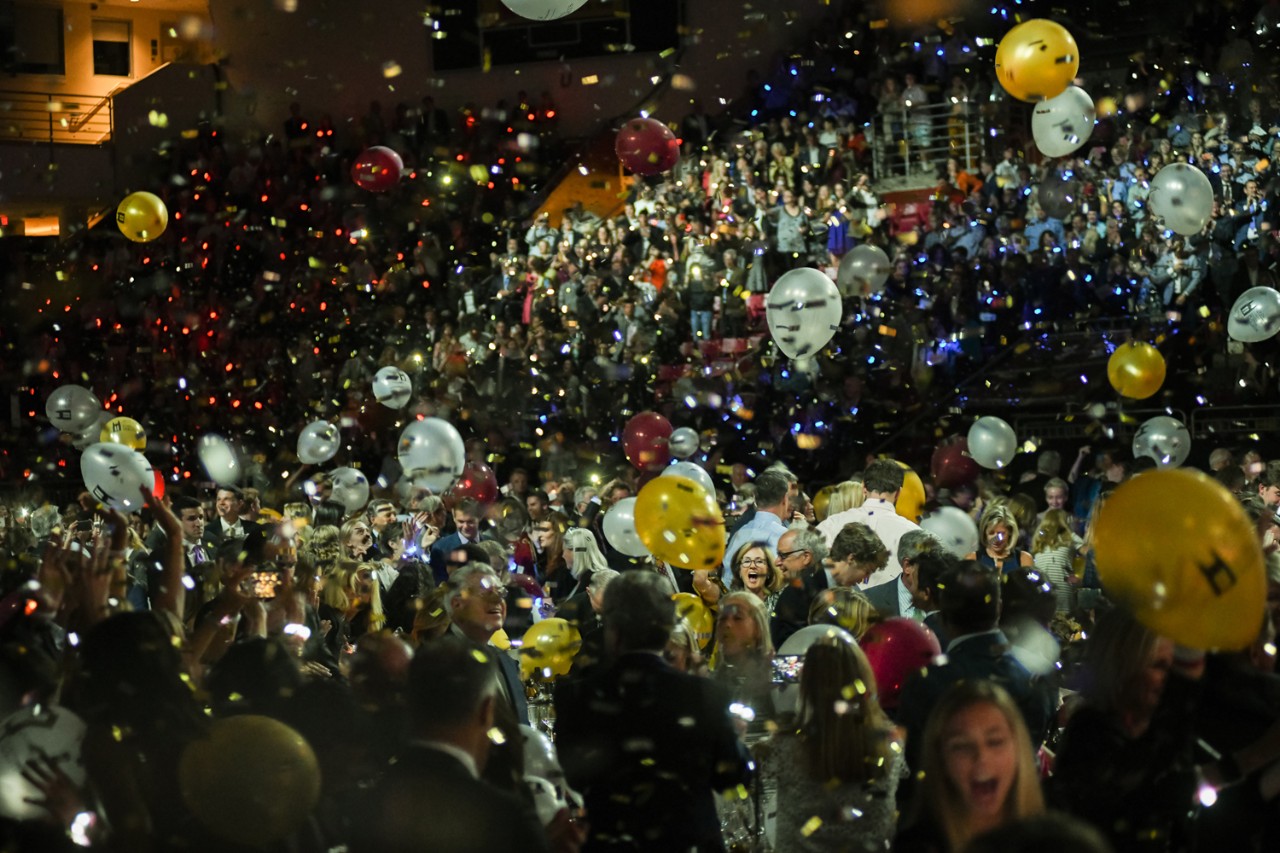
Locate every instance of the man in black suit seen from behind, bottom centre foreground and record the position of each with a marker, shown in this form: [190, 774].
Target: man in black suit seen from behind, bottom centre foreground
[646, 743]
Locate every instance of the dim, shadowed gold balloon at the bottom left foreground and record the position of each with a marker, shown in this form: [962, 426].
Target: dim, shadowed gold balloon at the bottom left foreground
[253, 781]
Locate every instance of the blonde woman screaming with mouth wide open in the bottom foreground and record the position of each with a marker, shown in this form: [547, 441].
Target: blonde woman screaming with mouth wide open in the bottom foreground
[977, 767]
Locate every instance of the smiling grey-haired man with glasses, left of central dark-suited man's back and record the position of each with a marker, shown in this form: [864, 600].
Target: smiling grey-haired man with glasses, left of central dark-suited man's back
[478, 608]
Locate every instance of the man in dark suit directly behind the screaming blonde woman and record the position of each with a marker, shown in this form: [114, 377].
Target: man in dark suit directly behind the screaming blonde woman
[979, 650]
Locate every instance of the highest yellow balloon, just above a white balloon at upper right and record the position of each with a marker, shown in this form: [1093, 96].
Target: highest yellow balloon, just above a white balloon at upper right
[1037, 61]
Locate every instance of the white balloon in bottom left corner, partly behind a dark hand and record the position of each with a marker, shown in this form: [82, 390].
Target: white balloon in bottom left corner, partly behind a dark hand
[48, 732]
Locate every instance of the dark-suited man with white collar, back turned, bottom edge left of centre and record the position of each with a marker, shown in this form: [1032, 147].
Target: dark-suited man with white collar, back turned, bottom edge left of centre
[433, 799]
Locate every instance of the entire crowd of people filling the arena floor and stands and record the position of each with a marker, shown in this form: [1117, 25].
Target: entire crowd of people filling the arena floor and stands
[390, 637]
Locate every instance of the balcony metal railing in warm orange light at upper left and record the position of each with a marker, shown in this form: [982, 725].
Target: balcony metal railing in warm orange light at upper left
[48, 117]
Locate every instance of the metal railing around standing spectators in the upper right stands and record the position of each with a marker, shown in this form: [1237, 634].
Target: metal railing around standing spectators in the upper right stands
[915, 143]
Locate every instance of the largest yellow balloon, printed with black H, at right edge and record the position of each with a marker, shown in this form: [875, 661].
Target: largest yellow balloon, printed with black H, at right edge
[1178, 550]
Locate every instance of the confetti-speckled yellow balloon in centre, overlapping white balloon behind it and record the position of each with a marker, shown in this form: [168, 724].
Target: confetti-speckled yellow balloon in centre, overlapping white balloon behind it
[680, 523]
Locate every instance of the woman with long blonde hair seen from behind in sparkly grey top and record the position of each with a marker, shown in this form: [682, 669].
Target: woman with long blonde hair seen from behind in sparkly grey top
[842, 759]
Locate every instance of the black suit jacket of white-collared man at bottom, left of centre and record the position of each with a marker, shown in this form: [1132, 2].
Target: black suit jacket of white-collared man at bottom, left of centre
[428, 801]
